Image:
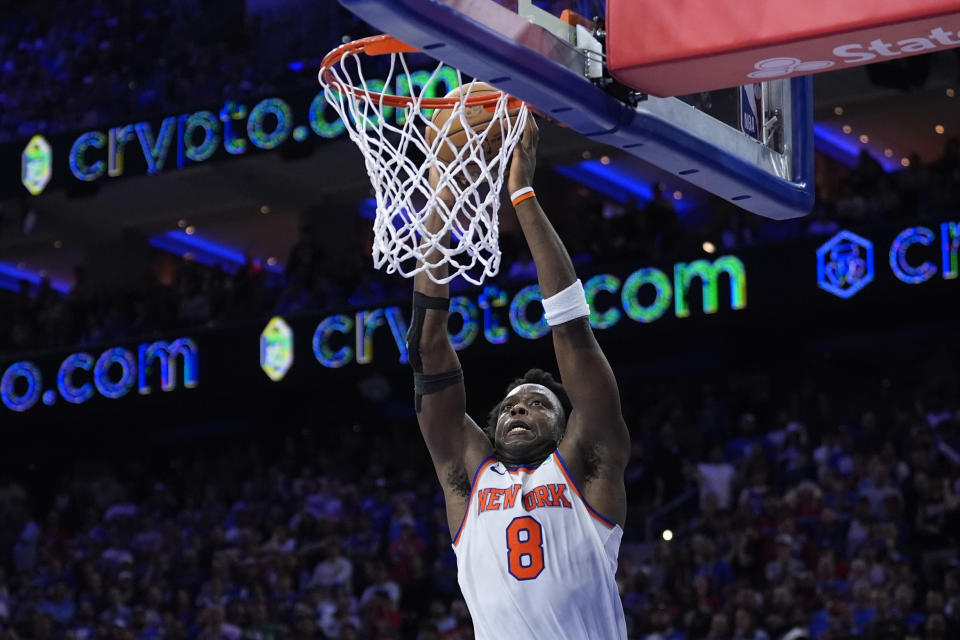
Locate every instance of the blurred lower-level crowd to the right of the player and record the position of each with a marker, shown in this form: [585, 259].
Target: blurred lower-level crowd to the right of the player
[839, 533]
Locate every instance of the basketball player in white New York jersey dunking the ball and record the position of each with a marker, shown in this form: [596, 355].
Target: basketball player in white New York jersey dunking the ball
[536, 503]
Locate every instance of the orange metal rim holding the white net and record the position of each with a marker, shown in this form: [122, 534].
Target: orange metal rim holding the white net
[386, 44]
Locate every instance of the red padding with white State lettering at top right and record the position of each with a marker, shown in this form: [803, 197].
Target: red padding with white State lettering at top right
[685, 46]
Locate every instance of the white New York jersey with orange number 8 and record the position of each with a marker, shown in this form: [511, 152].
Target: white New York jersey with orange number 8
[535, 560]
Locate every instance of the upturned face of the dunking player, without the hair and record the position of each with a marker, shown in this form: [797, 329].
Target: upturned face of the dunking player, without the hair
[530, 416]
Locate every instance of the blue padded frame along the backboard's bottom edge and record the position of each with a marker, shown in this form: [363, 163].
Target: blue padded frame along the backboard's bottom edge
[495, 45]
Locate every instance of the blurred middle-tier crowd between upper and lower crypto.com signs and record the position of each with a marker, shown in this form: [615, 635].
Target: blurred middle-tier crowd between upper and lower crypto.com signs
[182, 294]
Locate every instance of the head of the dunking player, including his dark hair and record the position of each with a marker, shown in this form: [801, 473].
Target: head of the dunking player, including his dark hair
[526, 426]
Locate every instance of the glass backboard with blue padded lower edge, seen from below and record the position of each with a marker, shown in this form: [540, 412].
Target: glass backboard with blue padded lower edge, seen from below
[751, 145]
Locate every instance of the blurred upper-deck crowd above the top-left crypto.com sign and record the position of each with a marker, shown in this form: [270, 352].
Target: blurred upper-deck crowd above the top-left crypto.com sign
[65, 66]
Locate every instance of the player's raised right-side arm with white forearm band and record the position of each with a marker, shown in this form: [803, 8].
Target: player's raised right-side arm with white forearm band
[596, 443]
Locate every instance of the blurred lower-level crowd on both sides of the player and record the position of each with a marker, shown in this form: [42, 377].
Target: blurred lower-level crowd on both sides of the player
[817, 510]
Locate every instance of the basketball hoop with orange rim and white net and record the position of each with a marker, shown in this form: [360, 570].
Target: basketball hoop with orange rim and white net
[391, 129]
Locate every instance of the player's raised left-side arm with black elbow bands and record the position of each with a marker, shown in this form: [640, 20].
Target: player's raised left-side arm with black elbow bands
[456, 443]
